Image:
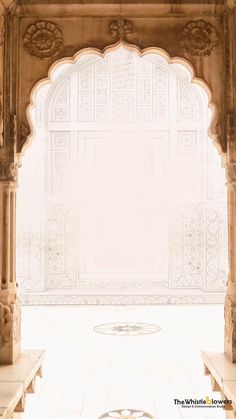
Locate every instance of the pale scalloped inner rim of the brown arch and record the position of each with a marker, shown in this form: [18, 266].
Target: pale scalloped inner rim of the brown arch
[212, 129]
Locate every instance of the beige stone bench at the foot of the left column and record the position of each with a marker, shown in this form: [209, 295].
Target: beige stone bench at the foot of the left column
[17, 380]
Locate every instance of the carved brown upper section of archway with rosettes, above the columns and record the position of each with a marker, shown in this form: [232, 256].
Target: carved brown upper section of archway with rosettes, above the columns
[34, 40]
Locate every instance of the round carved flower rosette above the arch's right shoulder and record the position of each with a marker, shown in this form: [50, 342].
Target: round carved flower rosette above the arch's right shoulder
[199, 38]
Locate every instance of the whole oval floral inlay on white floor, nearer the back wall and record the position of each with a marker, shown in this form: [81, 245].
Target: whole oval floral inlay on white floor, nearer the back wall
[127, 329]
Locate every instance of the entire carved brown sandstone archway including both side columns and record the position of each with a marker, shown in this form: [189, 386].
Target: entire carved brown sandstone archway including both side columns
[201, 34]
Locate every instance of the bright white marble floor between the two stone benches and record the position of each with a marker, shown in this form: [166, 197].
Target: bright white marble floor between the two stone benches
[87, 374]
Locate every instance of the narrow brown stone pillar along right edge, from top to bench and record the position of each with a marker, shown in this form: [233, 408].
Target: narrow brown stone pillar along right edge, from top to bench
[230, 125]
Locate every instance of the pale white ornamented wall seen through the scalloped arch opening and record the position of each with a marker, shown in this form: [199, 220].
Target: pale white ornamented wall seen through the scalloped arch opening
[122, 192]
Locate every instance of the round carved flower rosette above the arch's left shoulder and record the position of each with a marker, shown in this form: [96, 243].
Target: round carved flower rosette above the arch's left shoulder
[43, 39]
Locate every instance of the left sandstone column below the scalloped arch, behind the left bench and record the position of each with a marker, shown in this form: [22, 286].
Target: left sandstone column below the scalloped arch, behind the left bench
[9, 303]
